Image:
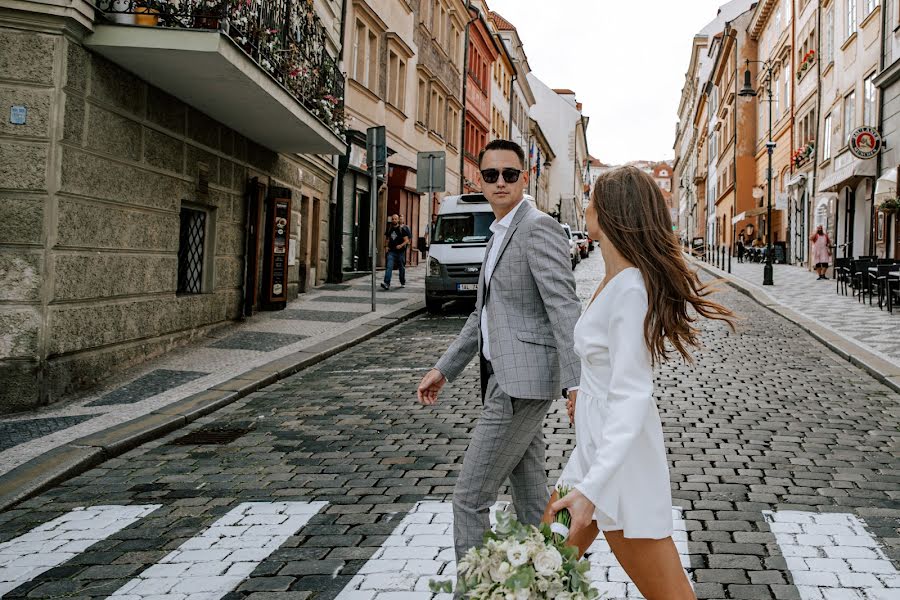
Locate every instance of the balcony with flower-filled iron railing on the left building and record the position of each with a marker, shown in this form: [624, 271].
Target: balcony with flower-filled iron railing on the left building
[260, 67]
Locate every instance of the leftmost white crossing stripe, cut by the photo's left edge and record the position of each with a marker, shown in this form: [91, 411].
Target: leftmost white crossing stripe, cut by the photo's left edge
[57, 541]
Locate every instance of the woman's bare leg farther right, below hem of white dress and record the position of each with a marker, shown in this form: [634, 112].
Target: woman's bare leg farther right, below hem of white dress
[653, 565]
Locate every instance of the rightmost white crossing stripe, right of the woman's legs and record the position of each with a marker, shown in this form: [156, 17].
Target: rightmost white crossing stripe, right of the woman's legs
[831, 556]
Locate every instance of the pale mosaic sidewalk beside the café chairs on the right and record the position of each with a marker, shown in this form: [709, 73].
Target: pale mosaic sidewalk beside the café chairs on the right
[798, 289]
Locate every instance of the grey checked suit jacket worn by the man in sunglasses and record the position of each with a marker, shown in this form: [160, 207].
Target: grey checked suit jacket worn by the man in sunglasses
[532, 310]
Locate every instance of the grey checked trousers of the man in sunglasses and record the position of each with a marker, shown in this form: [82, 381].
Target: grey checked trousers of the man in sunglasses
[508, 442]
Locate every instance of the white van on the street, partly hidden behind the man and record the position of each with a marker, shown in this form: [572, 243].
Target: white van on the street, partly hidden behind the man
[457, 250]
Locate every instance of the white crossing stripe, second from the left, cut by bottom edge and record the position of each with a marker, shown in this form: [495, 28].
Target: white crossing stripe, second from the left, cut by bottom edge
[215, 562]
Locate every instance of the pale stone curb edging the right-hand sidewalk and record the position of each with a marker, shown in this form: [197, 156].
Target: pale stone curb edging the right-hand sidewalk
[884, 371]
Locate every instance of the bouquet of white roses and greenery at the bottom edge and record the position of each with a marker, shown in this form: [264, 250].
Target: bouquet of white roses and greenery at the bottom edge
[523, 562]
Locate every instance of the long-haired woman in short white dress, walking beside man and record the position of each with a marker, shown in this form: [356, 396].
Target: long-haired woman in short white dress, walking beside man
[618, 470]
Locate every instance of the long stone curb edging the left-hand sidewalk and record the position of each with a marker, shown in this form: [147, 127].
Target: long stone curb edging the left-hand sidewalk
[76, 457]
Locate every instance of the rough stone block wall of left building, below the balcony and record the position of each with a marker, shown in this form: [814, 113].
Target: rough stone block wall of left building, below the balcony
[90, 193]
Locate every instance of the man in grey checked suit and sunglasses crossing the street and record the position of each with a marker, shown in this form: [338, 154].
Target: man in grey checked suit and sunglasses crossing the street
[523, 326]
